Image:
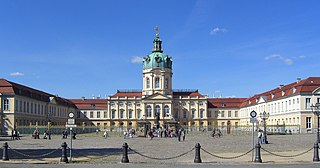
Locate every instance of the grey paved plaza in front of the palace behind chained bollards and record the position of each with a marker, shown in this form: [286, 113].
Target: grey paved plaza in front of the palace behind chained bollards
[94, 149]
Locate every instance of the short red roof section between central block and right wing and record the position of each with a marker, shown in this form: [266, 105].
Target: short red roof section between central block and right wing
[225, 102]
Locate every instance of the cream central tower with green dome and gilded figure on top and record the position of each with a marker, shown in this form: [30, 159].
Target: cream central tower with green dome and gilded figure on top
[157, 70]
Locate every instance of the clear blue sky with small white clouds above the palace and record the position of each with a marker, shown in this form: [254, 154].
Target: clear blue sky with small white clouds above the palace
[232, 48]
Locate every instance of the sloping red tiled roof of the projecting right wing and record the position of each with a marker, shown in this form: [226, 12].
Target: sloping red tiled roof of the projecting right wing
[304, 86]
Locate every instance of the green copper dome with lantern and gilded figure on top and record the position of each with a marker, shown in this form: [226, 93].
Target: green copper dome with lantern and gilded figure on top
[157, 59]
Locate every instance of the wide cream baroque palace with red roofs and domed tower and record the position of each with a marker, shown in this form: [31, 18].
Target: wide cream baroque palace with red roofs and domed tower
[158, 105]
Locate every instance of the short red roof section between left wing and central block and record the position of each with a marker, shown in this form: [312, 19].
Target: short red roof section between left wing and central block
[90, 103]
